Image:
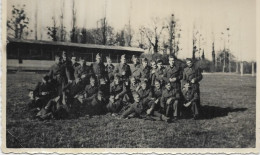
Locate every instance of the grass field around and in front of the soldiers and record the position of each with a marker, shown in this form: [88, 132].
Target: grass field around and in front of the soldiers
[229, 104]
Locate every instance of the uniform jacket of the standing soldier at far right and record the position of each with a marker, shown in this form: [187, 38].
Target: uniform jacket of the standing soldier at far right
[192, 73]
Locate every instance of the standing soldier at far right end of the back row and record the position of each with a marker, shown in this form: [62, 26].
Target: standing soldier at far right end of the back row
[192, 75]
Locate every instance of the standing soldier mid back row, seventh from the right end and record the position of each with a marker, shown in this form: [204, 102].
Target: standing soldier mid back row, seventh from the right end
[123, 69]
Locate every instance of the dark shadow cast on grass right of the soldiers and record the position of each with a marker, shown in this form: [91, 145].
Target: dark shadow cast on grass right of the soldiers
[209, 112]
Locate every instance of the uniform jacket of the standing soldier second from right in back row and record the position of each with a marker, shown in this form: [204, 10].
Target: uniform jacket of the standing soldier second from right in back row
[173, 72]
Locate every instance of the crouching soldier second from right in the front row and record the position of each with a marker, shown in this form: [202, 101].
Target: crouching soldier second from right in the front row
[170, 100]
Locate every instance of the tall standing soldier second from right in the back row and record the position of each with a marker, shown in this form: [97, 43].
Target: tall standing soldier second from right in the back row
[173, 73]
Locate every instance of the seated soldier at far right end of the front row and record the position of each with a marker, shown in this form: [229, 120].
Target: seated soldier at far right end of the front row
[191, 99]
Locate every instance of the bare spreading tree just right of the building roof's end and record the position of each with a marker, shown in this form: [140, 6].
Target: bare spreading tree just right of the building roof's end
[153, 35]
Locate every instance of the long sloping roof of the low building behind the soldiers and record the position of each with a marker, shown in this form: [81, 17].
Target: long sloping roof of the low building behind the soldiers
[94, 46]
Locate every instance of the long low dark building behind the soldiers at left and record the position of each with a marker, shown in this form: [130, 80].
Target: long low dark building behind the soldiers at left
[39, 55]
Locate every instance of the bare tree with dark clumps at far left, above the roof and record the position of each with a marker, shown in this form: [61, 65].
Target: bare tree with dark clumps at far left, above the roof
[18, 23]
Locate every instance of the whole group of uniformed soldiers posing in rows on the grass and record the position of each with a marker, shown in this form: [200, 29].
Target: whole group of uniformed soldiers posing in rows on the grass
[147, 89]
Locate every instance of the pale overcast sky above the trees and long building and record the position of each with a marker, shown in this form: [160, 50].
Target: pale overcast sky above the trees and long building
[210, 17]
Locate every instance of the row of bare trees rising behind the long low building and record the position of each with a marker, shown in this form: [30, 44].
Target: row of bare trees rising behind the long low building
[104, 34]
